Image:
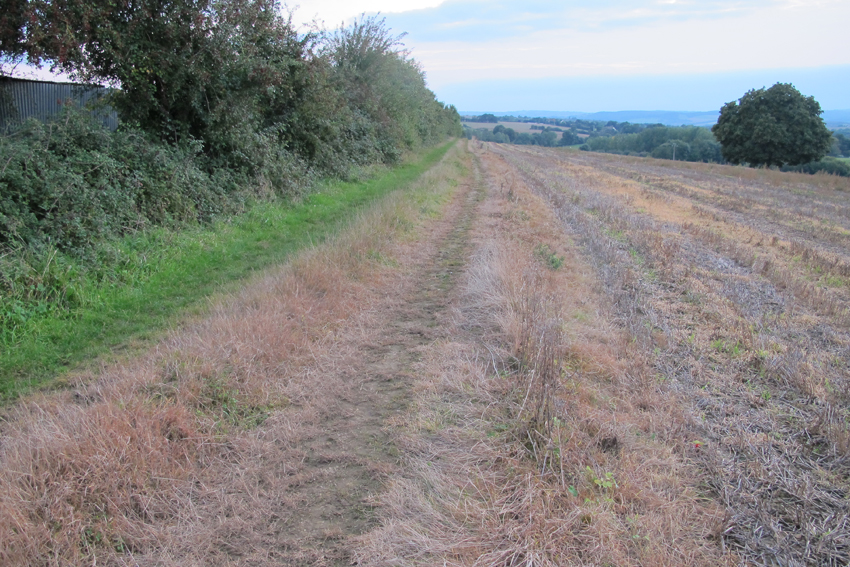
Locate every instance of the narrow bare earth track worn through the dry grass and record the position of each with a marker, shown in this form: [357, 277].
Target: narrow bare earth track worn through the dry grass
[345, 460]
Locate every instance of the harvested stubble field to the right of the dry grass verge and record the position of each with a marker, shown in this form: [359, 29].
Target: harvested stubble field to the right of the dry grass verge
[749, 329]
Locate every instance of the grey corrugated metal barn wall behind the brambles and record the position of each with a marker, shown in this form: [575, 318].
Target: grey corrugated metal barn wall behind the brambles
[24, 98]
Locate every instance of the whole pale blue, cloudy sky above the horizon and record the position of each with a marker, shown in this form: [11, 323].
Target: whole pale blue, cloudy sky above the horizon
[607, 55]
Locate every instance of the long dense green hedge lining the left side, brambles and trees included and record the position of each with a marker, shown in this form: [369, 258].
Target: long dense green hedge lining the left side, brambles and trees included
[272, 119]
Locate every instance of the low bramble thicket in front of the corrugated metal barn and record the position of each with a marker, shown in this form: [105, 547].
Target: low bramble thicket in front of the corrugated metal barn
[71, 183]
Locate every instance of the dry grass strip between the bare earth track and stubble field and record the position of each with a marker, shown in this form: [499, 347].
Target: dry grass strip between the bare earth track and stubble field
[540, 436]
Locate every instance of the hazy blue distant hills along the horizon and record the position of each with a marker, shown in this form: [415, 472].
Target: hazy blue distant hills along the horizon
[833, 118]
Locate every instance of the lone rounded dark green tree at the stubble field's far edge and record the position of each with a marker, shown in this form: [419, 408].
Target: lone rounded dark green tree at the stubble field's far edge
[772, 127]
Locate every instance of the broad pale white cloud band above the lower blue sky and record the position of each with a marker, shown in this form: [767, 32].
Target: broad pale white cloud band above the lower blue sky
[776, 36]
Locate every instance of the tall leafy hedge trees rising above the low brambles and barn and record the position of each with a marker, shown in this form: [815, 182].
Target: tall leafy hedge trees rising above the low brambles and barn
[236, 80]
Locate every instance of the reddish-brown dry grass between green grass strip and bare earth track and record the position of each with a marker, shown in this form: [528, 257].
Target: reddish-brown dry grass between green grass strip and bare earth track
[161, 459]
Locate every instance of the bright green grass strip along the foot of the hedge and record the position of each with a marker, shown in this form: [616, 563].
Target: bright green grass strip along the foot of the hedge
[196, 264]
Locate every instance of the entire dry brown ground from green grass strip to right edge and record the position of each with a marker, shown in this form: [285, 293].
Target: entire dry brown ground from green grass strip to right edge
[533, 357]
